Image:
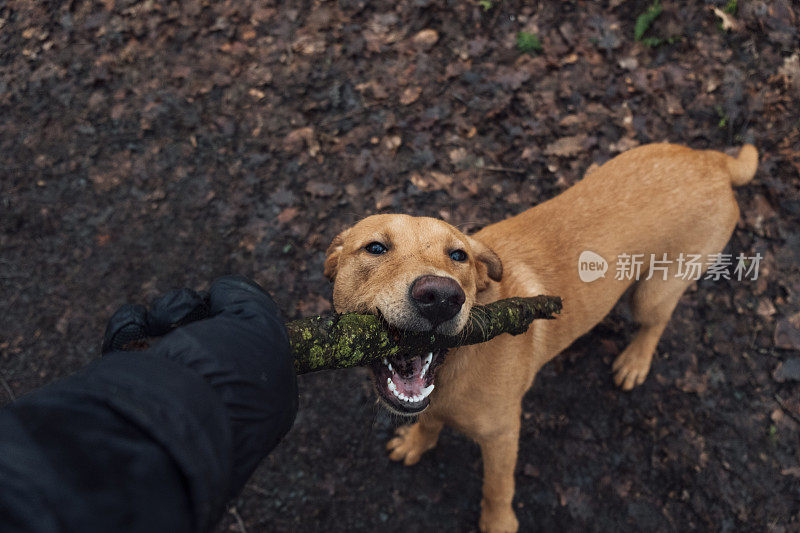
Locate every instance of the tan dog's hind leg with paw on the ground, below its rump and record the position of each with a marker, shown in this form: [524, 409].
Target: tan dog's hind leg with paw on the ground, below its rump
[652, 304]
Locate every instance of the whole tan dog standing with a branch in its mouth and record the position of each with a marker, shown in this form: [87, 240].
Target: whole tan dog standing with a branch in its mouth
[422, 274]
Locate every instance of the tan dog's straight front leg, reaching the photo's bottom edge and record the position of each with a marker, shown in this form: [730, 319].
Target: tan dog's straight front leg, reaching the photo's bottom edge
[499, 460]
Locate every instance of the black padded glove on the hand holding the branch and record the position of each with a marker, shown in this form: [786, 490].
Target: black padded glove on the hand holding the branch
[242, 351]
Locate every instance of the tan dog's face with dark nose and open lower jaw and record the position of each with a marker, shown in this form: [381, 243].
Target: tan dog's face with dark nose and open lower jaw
[419, 274]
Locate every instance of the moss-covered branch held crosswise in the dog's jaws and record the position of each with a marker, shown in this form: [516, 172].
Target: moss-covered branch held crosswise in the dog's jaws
[346, 340]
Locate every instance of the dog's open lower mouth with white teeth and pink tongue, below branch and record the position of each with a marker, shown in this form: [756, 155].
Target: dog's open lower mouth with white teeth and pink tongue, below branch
[405, 383]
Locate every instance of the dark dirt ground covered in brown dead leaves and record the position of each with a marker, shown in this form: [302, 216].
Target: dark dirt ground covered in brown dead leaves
[154, 144]
